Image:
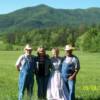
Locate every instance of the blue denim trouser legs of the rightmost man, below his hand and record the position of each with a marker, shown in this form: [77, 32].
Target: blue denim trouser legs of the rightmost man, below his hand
[71, 88]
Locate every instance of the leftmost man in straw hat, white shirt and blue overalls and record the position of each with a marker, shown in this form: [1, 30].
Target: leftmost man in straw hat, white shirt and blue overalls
[26, 67]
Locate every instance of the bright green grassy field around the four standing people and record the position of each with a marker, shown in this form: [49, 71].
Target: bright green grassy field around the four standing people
[87, 84]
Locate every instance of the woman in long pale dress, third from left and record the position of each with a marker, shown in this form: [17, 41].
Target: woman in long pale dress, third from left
[56, 89]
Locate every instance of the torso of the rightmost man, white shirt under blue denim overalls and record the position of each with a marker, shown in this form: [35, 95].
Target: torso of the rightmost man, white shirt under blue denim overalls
[69, 65]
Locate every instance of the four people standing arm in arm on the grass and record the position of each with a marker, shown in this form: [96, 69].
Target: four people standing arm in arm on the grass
[55, 76]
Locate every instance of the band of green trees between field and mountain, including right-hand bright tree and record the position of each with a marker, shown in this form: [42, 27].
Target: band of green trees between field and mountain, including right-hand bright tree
[83, 37]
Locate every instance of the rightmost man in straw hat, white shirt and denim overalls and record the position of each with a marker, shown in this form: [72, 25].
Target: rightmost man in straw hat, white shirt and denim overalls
[70, 68]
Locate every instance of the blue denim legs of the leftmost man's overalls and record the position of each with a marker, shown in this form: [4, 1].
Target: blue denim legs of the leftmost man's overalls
[25, 82]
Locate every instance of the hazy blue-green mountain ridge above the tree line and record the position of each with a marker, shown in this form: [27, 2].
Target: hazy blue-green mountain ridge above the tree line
[43, 16]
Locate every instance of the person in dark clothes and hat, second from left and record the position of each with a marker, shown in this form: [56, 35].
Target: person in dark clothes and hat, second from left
[43, 66]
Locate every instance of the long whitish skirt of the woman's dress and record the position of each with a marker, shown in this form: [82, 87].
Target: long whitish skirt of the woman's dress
[56, 89]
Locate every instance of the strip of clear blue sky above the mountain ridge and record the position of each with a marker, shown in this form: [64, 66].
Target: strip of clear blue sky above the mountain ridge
[7, 6]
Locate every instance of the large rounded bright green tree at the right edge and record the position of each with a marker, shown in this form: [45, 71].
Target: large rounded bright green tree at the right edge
[89, 41]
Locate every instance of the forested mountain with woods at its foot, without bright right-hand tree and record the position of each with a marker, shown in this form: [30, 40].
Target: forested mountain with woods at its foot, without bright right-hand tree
[43, 25]
